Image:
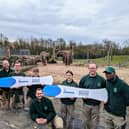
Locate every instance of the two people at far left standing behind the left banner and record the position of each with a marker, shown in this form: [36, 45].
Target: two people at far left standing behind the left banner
[10, 95]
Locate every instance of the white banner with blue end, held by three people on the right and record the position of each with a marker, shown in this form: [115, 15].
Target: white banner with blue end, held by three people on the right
[60, 91]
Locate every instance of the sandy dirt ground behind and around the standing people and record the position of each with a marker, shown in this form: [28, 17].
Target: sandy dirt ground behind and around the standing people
[18, 120]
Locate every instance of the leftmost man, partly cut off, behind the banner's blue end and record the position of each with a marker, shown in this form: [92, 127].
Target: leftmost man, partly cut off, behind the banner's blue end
[4, 92]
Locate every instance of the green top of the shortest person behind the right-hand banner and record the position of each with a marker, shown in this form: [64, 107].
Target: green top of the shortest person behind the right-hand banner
[68, 101]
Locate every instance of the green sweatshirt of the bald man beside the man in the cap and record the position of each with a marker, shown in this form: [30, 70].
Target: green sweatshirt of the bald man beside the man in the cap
[89, 82]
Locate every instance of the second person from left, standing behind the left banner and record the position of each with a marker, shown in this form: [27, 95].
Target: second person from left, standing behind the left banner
[16, 94]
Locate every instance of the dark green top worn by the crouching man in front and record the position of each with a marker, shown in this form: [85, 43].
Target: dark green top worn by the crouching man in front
[43, 109]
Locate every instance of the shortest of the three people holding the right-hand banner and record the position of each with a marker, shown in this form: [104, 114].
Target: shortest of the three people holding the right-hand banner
[67, 104]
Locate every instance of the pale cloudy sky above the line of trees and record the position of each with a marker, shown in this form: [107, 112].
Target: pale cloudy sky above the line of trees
[83, 21]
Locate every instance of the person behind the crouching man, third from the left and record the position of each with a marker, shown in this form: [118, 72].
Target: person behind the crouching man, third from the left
[32, 88]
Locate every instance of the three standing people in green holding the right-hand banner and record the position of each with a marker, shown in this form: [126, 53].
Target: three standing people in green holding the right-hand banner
[99, 115]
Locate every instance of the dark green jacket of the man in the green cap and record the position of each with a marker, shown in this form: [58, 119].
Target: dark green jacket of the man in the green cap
[118, 97]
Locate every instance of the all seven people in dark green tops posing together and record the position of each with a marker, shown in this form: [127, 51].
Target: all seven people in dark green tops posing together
[97, 114]
